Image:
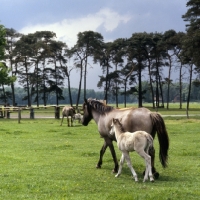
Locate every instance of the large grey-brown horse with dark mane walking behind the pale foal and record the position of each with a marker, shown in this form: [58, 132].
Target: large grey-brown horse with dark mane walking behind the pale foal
[133, 119]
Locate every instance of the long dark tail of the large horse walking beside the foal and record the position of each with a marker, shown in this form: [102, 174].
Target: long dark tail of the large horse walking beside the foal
[160, 128]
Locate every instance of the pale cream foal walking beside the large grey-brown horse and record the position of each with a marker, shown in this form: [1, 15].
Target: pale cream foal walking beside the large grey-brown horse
[139, 141]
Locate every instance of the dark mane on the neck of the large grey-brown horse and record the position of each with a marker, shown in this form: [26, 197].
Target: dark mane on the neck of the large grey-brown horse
[99, 106]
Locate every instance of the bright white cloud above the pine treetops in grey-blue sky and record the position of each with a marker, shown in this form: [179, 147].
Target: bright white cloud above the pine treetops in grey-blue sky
[67, 29]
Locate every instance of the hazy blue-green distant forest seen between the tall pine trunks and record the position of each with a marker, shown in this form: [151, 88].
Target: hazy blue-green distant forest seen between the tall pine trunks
[130, 98]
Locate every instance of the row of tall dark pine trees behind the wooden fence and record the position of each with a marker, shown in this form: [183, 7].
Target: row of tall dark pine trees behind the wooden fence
[40, 63]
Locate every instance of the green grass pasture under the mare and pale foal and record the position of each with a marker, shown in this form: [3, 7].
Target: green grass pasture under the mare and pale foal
[42, 160]
